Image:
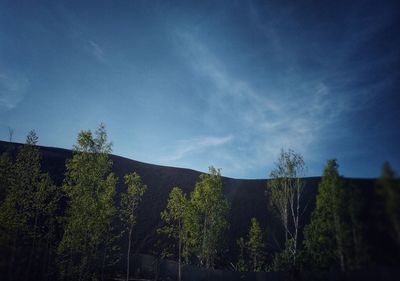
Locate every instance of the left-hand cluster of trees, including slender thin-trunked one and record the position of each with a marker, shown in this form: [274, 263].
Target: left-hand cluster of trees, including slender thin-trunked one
[67, 232]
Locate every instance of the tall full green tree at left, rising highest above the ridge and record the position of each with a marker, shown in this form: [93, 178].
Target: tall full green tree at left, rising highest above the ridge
[89, 188]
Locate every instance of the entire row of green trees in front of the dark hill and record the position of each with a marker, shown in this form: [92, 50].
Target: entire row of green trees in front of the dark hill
[75, 231]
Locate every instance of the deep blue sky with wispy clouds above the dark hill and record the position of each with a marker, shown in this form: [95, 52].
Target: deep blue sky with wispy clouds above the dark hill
[222, 83]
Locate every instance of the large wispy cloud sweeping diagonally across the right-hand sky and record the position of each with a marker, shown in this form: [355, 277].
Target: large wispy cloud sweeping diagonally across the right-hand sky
[263, 122]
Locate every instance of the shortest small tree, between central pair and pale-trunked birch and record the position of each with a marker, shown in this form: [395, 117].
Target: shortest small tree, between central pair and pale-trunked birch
[255, 243]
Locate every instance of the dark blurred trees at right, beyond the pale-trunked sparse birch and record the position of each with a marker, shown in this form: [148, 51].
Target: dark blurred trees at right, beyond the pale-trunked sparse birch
[345, 221]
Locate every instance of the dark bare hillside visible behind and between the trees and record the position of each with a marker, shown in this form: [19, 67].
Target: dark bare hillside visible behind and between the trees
[247, 197]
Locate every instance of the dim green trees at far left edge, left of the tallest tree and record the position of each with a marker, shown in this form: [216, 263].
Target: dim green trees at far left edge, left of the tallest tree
[27, 214]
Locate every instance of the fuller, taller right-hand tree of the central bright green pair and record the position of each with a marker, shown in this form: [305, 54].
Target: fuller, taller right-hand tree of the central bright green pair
[208, 209]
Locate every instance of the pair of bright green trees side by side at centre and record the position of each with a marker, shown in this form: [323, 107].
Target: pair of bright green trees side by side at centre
[197, 223]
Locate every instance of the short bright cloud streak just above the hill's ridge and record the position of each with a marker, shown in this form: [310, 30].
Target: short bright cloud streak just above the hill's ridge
[195, 145]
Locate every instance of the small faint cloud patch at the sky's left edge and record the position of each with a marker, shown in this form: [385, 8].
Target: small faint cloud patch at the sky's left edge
[13, 87]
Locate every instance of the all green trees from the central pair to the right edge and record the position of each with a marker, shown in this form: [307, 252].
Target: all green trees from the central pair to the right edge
[339, 234]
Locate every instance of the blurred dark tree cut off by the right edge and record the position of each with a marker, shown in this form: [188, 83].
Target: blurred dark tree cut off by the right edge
[388, 187]
